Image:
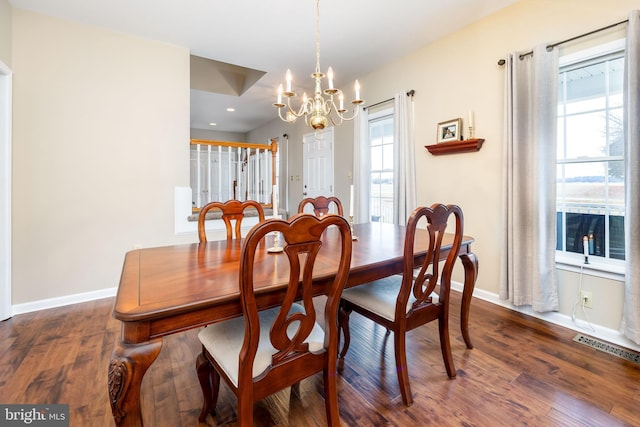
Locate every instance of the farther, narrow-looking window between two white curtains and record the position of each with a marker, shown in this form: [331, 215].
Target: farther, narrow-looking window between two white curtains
[382, 147]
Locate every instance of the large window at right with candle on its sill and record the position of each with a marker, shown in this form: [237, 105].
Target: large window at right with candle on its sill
[590, 157]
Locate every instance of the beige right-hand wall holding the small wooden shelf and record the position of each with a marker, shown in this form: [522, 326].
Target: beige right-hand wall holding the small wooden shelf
[460, 73]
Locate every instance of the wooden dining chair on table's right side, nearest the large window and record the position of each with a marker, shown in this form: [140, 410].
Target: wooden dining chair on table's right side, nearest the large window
[406, 301]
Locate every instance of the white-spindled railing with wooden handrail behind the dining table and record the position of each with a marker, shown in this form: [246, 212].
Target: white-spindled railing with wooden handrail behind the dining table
[222, 170]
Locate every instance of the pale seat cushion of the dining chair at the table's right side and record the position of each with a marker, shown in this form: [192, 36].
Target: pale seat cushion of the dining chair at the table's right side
[380, 296]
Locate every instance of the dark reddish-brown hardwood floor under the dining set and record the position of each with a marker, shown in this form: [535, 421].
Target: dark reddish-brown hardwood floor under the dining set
[522, 371]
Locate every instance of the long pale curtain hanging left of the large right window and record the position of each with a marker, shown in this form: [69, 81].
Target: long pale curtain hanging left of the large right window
[528, 274]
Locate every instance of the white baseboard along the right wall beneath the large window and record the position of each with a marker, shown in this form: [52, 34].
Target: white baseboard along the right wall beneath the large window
[611, 335]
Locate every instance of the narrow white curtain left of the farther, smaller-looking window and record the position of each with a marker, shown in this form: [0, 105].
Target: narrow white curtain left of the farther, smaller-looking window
[361, 167]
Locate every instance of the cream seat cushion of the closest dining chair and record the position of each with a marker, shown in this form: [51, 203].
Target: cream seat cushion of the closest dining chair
[223, 341]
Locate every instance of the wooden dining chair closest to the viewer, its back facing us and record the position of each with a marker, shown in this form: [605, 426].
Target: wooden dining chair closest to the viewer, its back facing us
[265, 351]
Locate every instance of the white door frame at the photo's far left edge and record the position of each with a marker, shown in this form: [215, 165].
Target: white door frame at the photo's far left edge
[6, 89]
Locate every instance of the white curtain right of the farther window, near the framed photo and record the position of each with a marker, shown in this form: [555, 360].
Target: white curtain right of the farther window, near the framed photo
[405, 178]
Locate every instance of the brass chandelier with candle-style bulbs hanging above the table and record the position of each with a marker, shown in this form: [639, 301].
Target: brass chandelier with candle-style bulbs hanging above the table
[320, 109]
